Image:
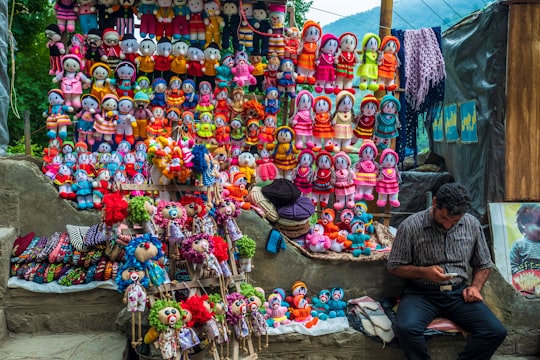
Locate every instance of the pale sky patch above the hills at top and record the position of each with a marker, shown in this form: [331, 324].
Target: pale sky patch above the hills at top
[336, 9]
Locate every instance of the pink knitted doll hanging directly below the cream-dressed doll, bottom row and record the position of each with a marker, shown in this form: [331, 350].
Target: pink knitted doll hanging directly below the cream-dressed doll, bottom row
[344, 181]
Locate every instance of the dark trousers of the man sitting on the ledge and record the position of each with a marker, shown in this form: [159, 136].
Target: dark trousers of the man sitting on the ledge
[418, 307]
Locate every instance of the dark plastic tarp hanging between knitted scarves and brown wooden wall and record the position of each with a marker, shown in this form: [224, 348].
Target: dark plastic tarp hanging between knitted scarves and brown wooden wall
[475, 55]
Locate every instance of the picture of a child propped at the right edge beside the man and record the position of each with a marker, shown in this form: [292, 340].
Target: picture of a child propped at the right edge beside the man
[515, 229]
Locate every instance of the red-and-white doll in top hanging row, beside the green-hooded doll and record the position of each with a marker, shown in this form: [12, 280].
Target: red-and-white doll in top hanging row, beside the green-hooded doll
[345, 62]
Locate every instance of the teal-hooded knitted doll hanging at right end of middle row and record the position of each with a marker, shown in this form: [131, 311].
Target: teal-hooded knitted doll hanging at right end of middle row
[387, 121]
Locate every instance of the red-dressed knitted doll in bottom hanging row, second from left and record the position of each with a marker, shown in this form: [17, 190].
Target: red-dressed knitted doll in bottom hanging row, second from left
[323, 180]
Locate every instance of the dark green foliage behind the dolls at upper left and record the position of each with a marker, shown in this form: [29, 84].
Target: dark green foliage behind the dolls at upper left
[31, 71]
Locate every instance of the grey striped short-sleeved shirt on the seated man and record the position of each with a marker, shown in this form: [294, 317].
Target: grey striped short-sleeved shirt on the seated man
[420, 241]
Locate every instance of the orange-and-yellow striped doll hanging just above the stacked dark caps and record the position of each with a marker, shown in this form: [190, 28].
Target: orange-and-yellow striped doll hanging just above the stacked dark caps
[284, 154]
